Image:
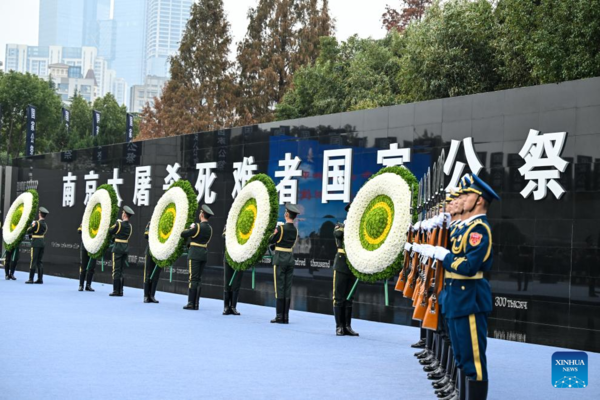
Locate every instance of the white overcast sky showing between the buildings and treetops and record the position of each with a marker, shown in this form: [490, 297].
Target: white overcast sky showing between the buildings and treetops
[19, 19]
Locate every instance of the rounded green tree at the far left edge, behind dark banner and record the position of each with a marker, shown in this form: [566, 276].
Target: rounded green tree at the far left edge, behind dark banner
[17, 91]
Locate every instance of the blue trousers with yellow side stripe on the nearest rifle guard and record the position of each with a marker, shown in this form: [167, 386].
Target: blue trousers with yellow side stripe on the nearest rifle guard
[469, 342]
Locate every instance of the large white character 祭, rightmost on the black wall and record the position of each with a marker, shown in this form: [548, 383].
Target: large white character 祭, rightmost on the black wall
[532, 152]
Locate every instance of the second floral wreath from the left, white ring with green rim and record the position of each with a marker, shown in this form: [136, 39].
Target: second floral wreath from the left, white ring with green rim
[100, 214]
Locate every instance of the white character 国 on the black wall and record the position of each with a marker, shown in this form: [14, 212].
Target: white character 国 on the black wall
[337, 175]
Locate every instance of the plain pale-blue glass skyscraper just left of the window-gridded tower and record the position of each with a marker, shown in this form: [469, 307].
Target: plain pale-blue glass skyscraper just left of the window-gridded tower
[129, 27]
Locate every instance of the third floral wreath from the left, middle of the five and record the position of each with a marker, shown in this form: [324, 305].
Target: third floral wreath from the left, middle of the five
[174, 212]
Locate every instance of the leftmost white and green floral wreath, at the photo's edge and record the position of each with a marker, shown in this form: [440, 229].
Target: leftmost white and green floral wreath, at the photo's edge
[18, 219]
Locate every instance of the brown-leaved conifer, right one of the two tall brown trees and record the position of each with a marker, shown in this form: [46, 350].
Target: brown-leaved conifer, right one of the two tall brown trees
[282, 36]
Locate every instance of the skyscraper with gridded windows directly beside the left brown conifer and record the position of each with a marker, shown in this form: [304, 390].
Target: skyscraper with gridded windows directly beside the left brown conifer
[165, 23]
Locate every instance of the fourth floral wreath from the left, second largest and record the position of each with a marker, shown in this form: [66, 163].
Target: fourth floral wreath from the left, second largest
[251, 220]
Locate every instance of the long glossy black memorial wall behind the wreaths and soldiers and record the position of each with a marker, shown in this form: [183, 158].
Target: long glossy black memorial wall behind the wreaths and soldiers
[546, 273]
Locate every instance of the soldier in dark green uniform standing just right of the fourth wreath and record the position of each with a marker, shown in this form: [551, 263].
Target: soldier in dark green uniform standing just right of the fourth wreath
[284, 238]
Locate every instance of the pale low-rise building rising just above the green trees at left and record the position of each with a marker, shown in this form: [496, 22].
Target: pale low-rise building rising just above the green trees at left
[68, 81]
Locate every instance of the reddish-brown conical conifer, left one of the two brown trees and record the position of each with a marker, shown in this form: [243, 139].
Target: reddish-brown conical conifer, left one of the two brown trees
[201, 94]
